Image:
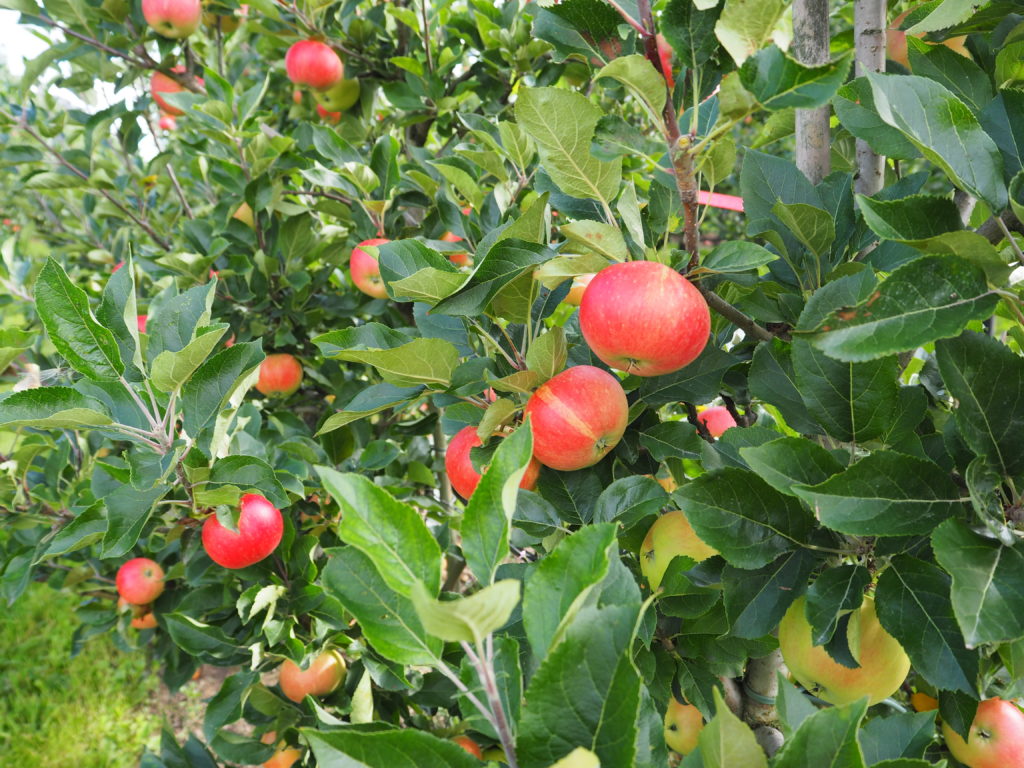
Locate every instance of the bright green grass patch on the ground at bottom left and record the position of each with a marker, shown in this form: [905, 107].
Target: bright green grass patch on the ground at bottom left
[95, 711]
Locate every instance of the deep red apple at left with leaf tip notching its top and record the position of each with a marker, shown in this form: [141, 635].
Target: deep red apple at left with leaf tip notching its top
[261, 529]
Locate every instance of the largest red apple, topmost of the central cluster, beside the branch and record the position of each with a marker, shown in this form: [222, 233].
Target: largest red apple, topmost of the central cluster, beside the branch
[645, 318]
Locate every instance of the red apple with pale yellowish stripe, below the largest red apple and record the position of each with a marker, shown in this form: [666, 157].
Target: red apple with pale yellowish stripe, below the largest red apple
[577, 417]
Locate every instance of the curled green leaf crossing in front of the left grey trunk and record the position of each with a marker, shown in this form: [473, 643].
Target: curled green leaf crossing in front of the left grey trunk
[780, 81]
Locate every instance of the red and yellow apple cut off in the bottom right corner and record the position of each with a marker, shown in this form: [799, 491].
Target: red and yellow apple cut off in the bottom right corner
[997, 738]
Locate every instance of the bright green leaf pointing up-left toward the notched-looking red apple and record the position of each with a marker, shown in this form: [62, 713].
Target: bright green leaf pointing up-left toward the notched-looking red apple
[393, 535]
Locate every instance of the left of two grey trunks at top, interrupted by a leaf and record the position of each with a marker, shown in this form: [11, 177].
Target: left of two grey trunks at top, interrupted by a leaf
[810, 46]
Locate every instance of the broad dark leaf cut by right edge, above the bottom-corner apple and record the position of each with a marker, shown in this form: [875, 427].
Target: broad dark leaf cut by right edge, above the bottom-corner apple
[989, 584]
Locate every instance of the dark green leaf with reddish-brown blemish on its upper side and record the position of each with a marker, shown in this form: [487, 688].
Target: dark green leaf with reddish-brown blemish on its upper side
[934, 297]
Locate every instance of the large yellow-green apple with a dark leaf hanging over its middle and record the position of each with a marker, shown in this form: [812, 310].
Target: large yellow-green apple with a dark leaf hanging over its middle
[884, 664]
